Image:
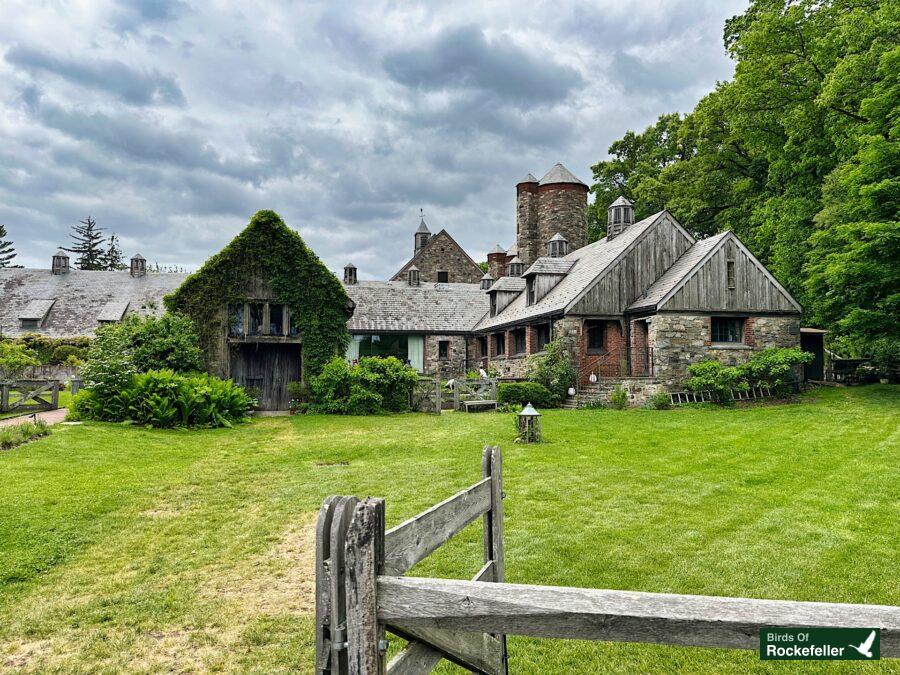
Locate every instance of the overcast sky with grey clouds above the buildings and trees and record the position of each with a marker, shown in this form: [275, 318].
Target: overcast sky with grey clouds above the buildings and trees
[172, 121]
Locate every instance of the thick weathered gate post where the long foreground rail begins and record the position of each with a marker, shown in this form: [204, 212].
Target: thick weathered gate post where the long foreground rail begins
[363, 552]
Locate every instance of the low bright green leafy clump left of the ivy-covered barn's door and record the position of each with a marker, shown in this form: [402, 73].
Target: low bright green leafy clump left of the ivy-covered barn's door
[165, 399]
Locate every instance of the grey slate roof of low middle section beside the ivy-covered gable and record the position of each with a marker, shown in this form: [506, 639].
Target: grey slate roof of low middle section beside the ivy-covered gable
[383, 306]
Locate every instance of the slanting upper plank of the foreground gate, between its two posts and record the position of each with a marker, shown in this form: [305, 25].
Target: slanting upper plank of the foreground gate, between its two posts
[415, 539]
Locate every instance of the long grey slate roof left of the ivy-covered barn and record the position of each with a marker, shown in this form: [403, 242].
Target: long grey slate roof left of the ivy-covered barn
[80, 297]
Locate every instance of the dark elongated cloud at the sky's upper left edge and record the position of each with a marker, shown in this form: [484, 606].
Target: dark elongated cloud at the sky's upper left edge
[128, 84]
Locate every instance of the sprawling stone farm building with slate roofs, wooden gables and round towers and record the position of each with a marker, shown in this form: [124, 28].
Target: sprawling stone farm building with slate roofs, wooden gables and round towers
[636, 307]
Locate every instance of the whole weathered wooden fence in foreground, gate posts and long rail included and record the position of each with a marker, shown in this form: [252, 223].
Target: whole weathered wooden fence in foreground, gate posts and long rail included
[361, 594]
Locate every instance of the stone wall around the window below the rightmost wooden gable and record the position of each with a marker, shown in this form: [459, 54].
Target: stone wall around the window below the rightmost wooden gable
[678, 340]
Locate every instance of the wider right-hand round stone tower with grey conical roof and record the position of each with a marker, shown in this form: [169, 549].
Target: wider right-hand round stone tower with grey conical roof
[562, 208]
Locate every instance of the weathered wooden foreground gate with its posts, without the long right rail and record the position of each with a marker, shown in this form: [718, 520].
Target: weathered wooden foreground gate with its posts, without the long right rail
[354, 554]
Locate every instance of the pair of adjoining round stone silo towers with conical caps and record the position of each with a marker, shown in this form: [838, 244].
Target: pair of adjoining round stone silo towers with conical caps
[557, 204]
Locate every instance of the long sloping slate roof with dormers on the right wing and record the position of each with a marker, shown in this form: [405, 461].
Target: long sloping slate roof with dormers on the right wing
[588, 263]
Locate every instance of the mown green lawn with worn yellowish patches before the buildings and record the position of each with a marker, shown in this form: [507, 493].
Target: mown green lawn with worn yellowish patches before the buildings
[128, 548]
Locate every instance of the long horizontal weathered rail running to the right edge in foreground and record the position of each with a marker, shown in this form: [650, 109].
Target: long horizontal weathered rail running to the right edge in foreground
[618, 616]
